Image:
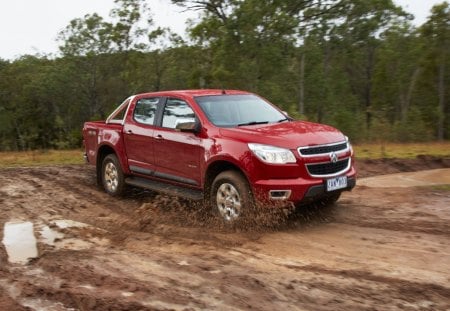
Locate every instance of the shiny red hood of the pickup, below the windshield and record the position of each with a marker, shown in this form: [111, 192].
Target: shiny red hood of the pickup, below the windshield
[289, 135]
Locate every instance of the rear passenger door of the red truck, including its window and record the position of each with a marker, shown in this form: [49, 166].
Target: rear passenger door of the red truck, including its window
[138, 135]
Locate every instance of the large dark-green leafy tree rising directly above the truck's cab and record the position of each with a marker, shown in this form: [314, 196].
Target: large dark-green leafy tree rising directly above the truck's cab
[251, 42]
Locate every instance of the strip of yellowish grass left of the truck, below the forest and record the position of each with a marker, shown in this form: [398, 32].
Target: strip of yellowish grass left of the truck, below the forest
[41, 157]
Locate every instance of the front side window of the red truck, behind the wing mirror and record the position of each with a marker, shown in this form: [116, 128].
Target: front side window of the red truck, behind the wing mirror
[177, 111]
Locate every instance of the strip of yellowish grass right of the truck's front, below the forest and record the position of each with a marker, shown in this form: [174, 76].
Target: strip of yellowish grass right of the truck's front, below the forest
[402, 151]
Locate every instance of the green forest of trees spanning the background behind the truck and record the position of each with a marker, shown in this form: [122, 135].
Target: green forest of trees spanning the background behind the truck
[359, 65]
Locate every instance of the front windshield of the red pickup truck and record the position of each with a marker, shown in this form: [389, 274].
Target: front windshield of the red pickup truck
[238, 110]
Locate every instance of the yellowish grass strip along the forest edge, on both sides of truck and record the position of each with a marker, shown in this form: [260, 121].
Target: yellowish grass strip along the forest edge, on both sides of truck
[362, 151]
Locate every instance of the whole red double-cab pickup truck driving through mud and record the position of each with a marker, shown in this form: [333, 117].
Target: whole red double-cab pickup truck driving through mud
[231, 148]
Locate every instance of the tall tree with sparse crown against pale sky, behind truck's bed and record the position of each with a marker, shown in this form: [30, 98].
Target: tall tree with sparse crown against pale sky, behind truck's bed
[101, 53]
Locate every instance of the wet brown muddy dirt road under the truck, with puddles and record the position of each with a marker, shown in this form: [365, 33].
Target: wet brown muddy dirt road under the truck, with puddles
[379, 248]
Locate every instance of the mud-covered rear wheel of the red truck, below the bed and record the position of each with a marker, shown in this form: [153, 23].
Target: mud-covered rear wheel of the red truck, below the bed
[113, 179]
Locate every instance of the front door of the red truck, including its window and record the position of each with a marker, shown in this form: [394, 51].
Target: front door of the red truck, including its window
[177, 154]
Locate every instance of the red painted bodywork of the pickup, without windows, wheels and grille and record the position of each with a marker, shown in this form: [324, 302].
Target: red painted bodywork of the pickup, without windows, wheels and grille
[188, 155]
